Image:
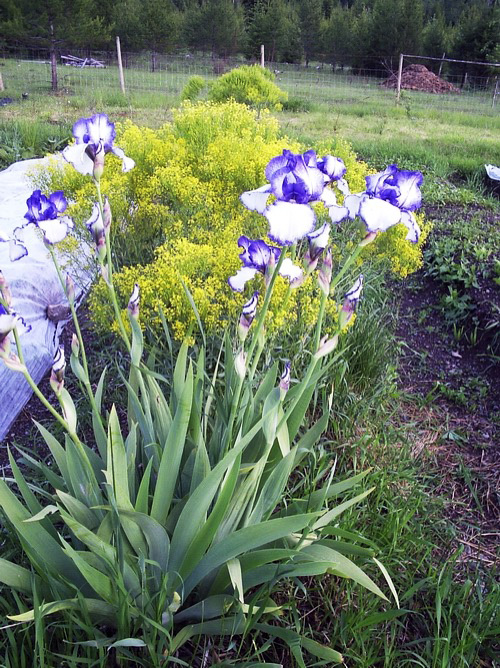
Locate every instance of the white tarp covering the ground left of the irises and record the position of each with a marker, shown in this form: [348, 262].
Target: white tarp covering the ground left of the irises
[34, 285]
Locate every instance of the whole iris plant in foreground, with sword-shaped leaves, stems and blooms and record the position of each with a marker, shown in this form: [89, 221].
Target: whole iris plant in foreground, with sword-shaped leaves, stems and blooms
[173, 518]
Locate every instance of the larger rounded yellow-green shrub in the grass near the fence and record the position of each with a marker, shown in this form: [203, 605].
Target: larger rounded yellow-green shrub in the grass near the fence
[249, 84]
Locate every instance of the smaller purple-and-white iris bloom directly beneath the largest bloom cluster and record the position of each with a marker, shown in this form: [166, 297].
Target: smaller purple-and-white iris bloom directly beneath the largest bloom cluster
[258, 257]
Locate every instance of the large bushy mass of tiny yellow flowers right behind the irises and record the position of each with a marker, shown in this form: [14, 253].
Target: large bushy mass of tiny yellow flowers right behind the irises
[180, 213]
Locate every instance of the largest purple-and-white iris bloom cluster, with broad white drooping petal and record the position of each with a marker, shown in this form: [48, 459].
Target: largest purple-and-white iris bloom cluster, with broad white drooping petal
[295, 180]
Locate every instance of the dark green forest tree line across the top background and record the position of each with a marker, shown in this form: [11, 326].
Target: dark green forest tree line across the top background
[354, 33]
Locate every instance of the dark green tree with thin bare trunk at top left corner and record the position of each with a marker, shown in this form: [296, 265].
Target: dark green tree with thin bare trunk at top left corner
[56, 23]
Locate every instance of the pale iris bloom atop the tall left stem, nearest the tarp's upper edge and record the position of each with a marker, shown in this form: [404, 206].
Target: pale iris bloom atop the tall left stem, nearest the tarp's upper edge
[94, 138]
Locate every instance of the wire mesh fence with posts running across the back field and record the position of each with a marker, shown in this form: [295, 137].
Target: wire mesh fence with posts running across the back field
[29, 71]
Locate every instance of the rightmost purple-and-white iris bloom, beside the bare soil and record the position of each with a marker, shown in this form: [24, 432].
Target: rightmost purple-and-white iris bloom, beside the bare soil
[390, 198]
